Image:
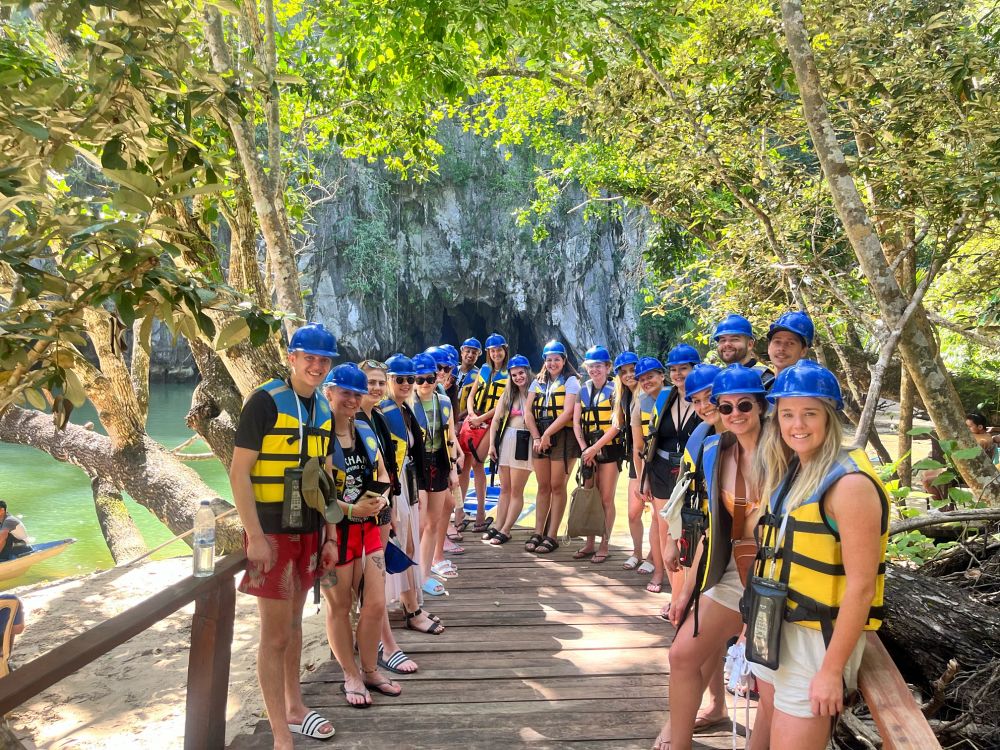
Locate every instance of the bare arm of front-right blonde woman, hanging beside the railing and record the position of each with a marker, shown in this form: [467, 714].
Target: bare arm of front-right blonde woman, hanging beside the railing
[854, 504]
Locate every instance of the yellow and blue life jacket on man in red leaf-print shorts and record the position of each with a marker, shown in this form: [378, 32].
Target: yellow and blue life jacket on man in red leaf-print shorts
[282, 448]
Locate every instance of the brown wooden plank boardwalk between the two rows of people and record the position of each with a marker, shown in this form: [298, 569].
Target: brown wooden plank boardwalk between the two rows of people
[539, 652]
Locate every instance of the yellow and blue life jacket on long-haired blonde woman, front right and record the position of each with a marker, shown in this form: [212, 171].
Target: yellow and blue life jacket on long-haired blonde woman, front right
[810, 560]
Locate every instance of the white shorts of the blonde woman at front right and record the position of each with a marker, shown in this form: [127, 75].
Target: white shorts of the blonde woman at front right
[801, 656]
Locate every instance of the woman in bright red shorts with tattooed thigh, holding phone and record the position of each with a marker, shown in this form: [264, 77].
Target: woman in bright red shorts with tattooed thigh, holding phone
[360, 561]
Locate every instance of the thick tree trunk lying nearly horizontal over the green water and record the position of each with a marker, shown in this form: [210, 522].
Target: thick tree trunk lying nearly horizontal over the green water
[146, 471]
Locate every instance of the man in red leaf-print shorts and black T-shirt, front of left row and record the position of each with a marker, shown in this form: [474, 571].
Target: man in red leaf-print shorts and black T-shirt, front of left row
[283, 425]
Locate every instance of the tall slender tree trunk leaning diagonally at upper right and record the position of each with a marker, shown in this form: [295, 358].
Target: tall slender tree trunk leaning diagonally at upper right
[917, 346]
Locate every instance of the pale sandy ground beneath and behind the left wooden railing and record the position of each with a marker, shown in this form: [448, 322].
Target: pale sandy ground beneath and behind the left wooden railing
[133, 696]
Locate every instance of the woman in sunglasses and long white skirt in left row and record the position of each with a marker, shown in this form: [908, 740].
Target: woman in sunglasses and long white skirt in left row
[408, 442]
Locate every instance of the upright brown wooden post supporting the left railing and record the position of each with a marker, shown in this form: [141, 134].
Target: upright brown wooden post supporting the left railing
[208, 666]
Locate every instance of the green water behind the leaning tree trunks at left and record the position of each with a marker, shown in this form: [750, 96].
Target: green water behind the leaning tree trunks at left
[54, 500]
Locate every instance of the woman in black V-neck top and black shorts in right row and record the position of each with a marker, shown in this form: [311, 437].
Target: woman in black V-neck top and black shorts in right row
[672, 421]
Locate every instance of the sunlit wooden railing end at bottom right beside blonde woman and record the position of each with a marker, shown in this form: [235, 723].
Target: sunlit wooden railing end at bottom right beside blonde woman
[897, 715]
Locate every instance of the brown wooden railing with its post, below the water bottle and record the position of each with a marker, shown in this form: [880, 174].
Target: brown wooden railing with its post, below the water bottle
[208, 662]
